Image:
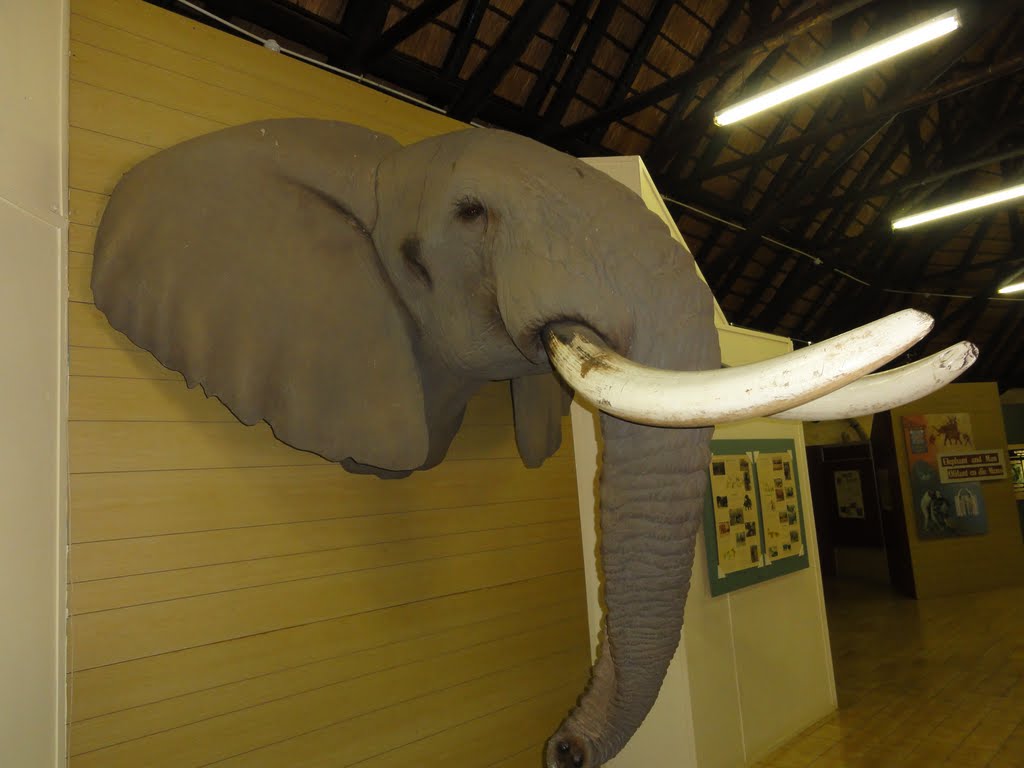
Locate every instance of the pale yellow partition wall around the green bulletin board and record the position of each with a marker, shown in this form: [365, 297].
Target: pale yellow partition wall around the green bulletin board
[762, 667]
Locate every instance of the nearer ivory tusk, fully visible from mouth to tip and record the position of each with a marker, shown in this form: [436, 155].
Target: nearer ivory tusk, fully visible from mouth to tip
[693, 399]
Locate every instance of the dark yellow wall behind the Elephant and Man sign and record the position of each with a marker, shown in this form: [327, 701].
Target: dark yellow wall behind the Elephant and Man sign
[971, 564]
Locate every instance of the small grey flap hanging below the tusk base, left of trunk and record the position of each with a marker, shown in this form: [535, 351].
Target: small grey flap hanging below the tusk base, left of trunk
[539, 403]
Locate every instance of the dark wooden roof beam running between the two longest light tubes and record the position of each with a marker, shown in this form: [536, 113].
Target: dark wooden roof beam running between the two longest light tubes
[886, 111]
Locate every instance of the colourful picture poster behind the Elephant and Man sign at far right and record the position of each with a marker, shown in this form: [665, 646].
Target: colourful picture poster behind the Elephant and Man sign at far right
[943, 509]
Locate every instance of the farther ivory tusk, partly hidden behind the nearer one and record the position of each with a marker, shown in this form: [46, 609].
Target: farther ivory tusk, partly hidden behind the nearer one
[877, 393]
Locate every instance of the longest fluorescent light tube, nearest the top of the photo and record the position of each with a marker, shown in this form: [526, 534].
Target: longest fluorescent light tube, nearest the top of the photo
[841, 68]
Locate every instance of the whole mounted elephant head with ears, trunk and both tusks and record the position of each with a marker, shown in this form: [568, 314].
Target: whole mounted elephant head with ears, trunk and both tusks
[355, 294]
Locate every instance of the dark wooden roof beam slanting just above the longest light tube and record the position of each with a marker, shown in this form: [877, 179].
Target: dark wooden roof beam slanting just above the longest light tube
[762, 44]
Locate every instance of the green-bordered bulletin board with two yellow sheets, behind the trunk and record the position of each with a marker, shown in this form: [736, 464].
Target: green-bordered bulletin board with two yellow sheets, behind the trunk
[754, 514]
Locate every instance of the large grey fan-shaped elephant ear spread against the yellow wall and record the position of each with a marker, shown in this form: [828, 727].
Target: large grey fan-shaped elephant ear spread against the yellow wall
[244, 261]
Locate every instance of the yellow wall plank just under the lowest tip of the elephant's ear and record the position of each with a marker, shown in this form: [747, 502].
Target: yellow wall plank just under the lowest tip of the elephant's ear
[155, 503]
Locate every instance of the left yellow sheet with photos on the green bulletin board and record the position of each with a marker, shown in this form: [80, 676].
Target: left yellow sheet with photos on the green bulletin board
[736, 505]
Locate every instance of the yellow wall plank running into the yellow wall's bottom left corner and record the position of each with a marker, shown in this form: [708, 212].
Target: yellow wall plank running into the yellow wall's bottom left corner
[325, 727]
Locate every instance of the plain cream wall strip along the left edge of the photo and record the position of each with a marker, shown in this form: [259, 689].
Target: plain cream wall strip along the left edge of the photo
[33, 382]
